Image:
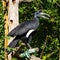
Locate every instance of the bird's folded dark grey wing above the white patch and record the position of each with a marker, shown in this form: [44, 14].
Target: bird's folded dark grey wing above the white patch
[22, 28]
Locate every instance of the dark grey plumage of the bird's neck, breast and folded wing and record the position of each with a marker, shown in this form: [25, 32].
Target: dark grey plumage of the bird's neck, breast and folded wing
[25, 27]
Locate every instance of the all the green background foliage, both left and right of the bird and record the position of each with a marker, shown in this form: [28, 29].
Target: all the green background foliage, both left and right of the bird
[47, 27]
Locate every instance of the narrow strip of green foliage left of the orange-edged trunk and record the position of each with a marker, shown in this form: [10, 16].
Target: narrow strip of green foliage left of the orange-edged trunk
[1, 33]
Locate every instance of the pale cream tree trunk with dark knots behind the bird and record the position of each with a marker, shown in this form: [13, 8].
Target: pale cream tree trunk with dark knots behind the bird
[13, 17]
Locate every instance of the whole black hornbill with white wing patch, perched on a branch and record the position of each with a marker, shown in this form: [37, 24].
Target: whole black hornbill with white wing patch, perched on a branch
[24, 30]
